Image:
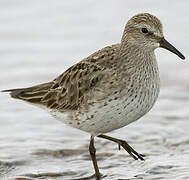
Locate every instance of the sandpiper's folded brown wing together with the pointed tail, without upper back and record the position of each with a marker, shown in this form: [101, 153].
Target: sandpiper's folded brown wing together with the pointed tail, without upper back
[66, 92]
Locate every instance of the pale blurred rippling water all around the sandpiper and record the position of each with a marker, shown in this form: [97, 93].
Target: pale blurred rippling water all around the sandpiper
[39, 39]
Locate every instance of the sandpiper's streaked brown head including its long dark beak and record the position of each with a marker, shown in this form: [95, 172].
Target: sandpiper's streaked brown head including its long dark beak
[145, 31]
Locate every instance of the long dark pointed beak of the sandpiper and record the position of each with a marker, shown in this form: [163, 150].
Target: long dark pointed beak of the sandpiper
[165, 44]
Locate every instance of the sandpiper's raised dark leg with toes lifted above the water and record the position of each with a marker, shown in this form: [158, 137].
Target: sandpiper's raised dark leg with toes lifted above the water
[125, 145]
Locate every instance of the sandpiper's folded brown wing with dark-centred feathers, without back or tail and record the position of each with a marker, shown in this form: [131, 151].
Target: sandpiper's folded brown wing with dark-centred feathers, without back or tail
[70, 88]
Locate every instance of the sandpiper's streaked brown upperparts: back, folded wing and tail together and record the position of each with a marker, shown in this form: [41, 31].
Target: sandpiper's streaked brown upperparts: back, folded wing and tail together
[71, 88]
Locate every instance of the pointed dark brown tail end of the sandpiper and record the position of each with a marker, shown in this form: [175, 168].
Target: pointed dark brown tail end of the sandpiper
[32, 94]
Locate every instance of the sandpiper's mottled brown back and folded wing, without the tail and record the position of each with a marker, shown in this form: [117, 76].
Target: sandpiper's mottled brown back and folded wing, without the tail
[72, 88]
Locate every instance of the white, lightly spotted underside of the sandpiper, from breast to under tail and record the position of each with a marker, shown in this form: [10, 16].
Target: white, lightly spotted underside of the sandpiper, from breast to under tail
[112, 114]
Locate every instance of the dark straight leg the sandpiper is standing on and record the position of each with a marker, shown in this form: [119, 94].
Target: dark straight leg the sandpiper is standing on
[92, 151]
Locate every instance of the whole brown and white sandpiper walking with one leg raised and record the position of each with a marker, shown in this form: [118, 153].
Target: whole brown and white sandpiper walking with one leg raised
[109, 89]
